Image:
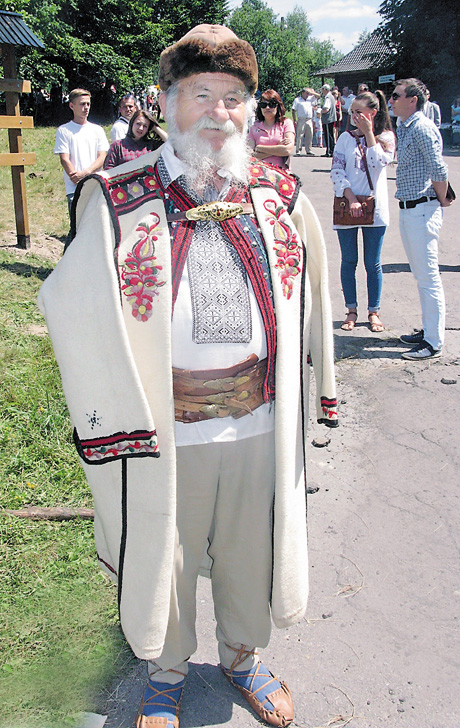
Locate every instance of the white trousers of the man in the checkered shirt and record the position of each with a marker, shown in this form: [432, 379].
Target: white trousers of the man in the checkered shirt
[420, 228]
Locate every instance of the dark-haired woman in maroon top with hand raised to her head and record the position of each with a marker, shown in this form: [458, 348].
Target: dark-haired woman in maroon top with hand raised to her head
[144, 135]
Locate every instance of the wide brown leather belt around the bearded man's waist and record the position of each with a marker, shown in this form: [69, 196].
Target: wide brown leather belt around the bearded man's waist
[206, 394]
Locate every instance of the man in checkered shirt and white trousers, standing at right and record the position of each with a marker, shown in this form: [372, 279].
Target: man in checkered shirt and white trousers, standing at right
[421, 187]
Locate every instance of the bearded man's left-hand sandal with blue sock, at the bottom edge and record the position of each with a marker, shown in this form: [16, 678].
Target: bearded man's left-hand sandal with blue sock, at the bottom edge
[160, 705]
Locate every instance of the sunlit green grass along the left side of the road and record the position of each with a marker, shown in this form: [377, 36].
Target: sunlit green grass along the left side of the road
[60, 641]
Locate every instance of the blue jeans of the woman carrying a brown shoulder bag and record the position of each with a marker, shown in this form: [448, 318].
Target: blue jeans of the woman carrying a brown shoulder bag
[373, 240]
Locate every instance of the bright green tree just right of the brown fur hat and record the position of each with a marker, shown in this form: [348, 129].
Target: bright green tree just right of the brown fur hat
[285, 49]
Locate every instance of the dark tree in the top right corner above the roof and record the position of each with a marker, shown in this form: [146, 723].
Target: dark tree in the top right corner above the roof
[425, 37]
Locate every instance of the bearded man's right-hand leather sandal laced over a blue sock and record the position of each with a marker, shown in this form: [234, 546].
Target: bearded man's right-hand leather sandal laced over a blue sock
[268, 696]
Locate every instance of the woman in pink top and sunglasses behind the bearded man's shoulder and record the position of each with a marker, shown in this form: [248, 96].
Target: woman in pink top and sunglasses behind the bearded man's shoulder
[272, 135]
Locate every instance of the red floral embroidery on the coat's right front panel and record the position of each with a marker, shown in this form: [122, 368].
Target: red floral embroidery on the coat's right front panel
[286, 247]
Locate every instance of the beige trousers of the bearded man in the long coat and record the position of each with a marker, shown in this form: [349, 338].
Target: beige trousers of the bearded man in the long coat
[224, 506]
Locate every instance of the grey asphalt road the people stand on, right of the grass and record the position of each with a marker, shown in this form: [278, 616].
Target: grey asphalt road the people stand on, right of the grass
[380, 643]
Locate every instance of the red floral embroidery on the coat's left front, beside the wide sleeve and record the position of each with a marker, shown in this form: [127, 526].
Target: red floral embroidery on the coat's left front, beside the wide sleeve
[140, 272]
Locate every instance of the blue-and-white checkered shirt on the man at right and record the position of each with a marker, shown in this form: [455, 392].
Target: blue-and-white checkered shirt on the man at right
[419, 158]
